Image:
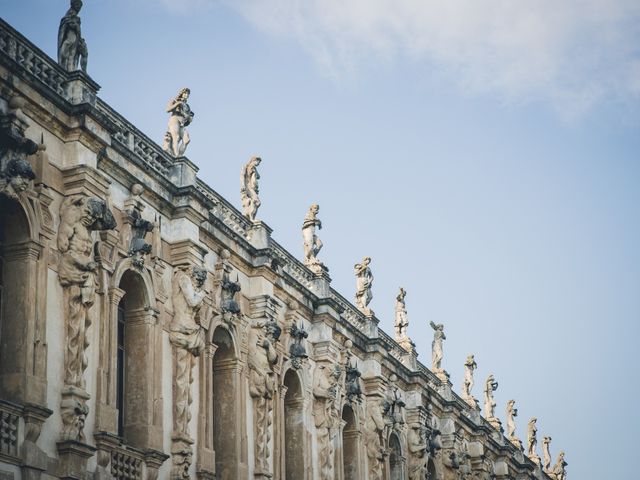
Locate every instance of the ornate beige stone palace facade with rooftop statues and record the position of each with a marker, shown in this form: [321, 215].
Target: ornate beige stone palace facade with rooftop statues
[149, 330]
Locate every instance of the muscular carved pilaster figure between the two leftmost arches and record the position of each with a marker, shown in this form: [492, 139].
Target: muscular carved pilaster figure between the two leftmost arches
[79, 216]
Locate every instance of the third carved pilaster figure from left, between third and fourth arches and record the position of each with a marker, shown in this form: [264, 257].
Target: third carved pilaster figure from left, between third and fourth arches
[262, 384]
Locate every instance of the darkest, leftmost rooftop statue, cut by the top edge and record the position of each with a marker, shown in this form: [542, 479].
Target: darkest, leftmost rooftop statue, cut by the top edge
[72, 49]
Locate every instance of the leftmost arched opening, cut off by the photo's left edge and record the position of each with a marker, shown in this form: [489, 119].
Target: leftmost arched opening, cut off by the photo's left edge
[18, 259]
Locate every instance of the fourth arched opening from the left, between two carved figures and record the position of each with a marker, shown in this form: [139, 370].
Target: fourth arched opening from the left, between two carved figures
[293, 427]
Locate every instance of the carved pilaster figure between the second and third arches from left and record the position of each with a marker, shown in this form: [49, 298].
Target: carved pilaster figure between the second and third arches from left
[187, 338]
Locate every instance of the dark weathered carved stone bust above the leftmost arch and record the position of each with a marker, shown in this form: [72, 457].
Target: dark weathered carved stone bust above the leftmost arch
[16, 174]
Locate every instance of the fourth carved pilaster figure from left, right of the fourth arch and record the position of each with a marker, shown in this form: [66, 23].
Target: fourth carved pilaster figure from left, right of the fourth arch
[325, 417]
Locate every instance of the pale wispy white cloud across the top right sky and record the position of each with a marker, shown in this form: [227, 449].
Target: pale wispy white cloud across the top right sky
[572, 53]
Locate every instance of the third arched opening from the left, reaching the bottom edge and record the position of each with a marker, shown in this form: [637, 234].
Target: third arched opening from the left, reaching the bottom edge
[226, 431]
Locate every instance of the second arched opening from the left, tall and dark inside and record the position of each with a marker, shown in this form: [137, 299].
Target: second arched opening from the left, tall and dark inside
[133, 399]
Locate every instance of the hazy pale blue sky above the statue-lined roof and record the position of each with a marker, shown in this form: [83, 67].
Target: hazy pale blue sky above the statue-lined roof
[485, 154]
